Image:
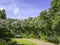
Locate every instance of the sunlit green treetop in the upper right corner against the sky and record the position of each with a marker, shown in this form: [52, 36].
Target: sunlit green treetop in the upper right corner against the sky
[55, 6]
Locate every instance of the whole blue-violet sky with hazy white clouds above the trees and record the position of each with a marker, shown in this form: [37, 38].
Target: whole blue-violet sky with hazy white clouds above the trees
[22, 9]
